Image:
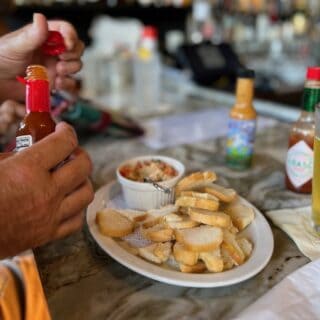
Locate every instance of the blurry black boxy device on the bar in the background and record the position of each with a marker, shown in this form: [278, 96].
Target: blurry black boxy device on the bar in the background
[209, 62]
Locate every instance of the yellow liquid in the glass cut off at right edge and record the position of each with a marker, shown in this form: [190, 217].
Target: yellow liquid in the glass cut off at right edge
[316, 186]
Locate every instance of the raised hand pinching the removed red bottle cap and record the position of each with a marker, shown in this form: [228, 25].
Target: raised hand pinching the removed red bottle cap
[21, 48]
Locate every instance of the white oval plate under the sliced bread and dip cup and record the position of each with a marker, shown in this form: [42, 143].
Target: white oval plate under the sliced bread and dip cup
[258, 232]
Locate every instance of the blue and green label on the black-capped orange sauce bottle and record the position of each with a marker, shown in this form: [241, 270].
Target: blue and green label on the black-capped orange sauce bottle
[240, 142]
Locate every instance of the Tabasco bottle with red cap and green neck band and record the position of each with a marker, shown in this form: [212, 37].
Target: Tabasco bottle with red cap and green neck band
[299, 162]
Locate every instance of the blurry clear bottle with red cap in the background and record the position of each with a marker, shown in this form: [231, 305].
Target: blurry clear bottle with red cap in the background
[147, 74]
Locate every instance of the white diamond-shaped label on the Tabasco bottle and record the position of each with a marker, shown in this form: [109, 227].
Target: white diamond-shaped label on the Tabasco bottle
[299, 164]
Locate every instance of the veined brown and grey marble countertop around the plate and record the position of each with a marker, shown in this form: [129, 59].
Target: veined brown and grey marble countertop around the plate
[82, 282]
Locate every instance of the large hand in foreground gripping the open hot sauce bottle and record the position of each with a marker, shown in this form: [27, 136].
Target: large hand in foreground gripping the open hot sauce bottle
[41, 200]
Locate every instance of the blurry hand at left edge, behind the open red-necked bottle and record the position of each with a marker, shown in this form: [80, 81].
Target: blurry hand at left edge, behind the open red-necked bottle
[11, 112]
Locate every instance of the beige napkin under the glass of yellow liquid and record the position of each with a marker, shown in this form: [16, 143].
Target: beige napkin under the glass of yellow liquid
[297, 224]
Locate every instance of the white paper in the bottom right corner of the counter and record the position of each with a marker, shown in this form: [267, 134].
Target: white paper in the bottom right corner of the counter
[296, 297]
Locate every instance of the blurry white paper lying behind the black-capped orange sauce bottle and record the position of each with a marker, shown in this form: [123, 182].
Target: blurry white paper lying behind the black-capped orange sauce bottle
[191, 127]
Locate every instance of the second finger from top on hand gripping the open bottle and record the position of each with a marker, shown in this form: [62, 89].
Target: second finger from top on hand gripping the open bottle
[74, 172]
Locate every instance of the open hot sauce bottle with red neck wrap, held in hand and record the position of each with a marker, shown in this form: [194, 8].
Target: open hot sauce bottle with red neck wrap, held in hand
[38, 122]
